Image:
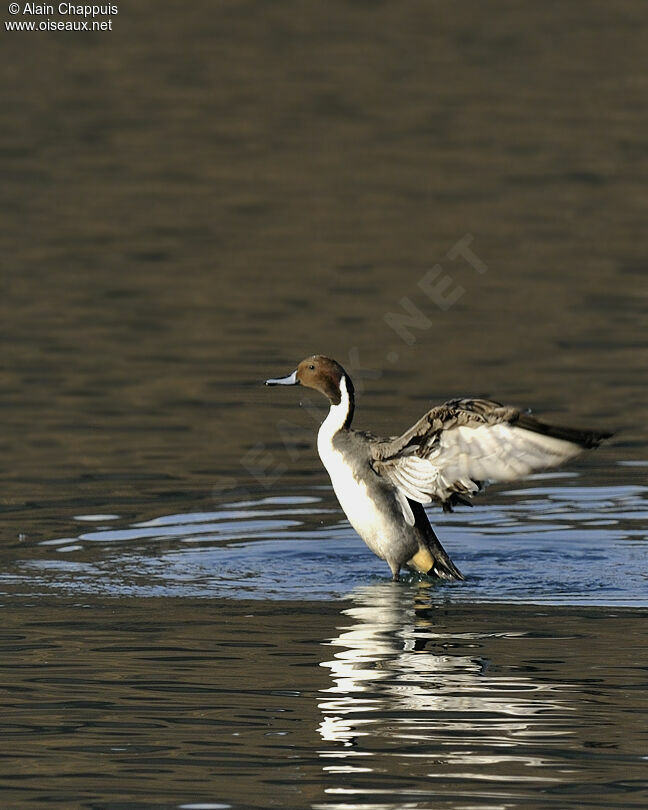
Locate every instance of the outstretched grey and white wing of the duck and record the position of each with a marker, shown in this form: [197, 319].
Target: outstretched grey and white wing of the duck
[459, 446]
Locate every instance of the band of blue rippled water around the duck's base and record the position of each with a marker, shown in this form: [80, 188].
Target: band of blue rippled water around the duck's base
[549, 541]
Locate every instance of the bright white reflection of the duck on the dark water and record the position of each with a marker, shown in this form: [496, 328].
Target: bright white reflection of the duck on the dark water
[400, 687]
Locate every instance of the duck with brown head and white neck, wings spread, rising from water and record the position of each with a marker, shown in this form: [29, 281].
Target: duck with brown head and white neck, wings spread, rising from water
[446, 457]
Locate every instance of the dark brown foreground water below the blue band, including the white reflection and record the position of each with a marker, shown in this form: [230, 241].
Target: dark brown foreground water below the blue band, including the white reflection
[392, 698]
